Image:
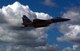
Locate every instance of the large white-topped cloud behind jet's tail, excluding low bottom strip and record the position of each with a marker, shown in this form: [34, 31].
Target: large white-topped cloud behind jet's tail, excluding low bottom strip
[10, 26]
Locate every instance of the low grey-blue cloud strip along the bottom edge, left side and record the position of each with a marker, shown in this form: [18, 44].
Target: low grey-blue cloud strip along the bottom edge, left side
[7, 47]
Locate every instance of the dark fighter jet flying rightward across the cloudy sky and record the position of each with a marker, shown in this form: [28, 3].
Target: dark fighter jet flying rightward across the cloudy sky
[37, 23]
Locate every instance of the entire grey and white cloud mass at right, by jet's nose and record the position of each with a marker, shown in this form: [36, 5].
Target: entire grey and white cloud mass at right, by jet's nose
[71, 29]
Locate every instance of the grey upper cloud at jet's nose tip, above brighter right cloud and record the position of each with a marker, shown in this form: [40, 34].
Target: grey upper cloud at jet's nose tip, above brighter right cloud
[74, 15]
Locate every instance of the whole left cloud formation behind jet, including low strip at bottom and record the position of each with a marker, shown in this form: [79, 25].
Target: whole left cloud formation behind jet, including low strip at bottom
[15, 38]
